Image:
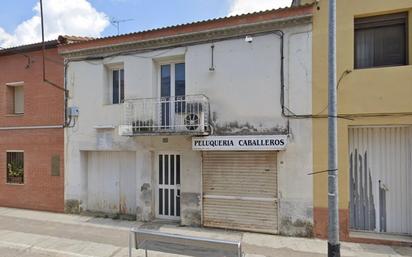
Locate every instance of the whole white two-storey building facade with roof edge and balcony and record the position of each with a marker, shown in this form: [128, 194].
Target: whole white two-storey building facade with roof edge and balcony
[185, 123]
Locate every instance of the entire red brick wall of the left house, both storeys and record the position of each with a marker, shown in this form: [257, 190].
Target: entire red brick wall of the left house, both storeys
[43, 106]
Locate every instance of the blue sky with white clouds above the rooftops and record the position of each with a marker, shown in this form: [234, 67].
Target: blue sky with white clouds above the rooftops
[20, 19]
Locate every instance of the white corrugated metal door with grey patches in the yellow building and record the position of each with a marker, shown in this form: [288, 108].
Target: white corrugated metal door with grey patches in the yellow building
[381, 179]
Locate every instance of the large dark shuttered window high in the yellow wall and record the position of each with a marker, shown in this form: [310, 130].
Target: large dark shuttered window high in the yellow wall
[381, 41]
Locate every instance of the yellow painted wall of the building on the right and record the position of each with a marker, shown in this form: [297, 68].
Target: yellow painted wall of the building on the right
[375, 90]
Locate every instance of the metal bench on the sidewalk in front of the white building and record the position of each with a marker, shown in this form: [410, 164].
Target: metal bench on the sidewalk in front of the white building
[178, 244]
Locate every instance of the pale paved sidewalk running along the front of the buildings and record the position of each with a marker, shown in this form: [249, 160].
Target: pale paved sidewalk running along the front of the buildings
[38, 234]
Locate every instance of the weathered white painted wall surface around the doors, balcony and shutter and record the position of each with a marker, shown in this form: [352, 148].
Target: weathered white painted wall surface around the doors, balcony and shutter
[244, 88]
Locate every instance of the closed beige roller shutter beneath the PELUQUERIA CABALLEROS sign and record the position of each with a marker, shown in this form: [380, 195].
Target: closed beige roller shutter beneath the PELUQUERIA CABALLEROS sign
[240, 191]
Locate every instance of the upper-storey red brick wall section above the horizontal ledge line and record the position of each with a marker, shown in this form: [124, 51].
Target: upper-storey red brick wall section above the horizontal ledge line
[43, 104]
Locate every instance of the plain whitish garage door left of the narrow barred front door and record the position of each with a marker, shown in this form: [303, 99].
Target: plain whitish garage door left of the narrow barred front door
[111, 182]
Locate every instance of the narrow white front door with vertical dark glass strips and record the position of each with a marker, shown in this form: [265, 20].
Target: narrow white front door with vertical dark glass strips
[168, 192]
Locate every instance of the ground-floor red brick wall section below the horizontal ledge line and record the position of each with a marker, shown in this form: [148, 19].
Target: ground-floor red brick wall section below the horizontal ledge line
[41, 190]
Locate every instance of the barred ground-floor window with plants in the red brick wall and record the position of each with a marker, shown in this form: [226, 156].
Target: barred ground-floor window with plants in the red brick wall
[15, 167]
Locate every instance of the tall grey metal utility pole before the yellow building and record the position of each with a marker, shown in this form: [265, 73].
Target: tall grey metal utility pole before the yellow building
[333, 203]
